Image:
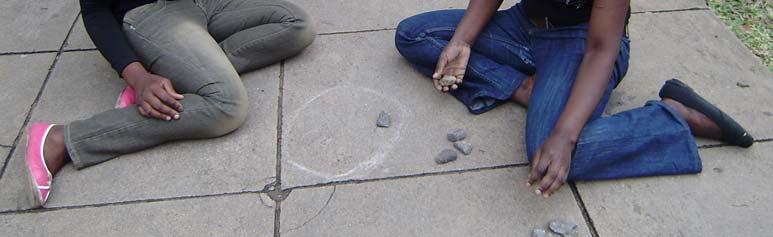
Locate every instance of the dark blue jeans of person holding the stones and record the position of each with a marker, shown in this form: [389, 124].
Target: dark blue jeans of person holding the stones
[647, 141]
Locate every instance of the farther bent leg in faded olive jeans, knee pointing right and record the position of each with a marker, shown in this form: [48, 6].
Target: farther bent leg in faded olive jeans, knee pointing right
[255, 34]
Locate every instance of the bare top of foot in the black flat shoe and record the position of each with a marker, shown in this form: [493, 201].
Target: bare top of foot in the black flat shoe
[700, 125]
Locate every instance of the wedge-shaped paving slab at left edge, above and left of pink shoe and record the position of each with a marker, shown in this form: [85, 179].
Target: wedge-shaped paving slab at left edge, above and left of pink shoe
[21, 77]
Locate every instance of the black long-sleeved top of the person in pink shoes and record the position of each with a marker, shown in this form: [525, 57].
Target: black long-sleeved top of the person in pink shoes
[102, 19]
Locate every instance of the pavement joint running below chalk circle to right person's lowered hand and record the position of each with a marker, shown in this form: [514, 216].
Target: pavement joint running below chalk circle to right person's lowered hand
[399, 177]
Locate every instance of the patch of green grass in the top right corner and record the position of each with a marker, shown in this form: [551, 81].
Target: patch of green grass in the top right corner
[752, 22]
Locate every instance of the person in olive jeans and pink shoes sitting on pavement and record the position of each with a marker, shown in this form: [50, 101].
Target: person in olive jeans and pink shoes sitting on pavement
[181, 61]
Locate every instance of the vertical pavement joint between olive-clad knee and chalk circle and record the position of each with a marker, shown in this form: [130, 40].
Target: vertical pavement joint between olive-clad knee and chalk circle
[278, 165]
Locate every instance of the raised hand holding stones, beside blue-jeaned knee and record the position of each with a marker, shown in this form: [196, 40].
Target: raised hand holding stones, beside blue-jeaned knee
[452, 62]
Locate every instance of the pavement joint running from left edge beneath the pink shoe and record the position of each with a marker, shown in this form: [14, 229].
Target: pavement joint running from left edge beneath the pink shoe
[130, 202]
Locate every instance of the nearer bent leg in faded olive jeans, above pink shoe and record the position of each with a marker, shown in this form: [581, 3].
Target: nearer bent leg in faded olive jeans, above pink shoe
[171, 40]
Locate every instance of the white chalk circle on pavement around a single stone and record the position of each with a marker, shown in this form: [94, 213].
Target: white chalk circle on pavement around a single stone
[334, 136]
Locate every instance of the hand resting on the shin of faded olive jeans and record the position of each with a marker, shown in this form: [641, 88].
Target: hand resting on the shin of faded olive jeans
[155, 96]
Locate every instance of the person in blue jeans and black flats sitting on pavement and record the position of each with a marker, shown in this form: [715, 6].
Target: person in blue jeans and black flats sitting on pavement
[561, 60]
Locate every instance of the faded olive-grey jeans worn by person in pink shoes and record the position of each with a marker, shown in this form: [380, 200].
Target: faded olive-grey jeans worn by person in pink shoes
[201, 46]
